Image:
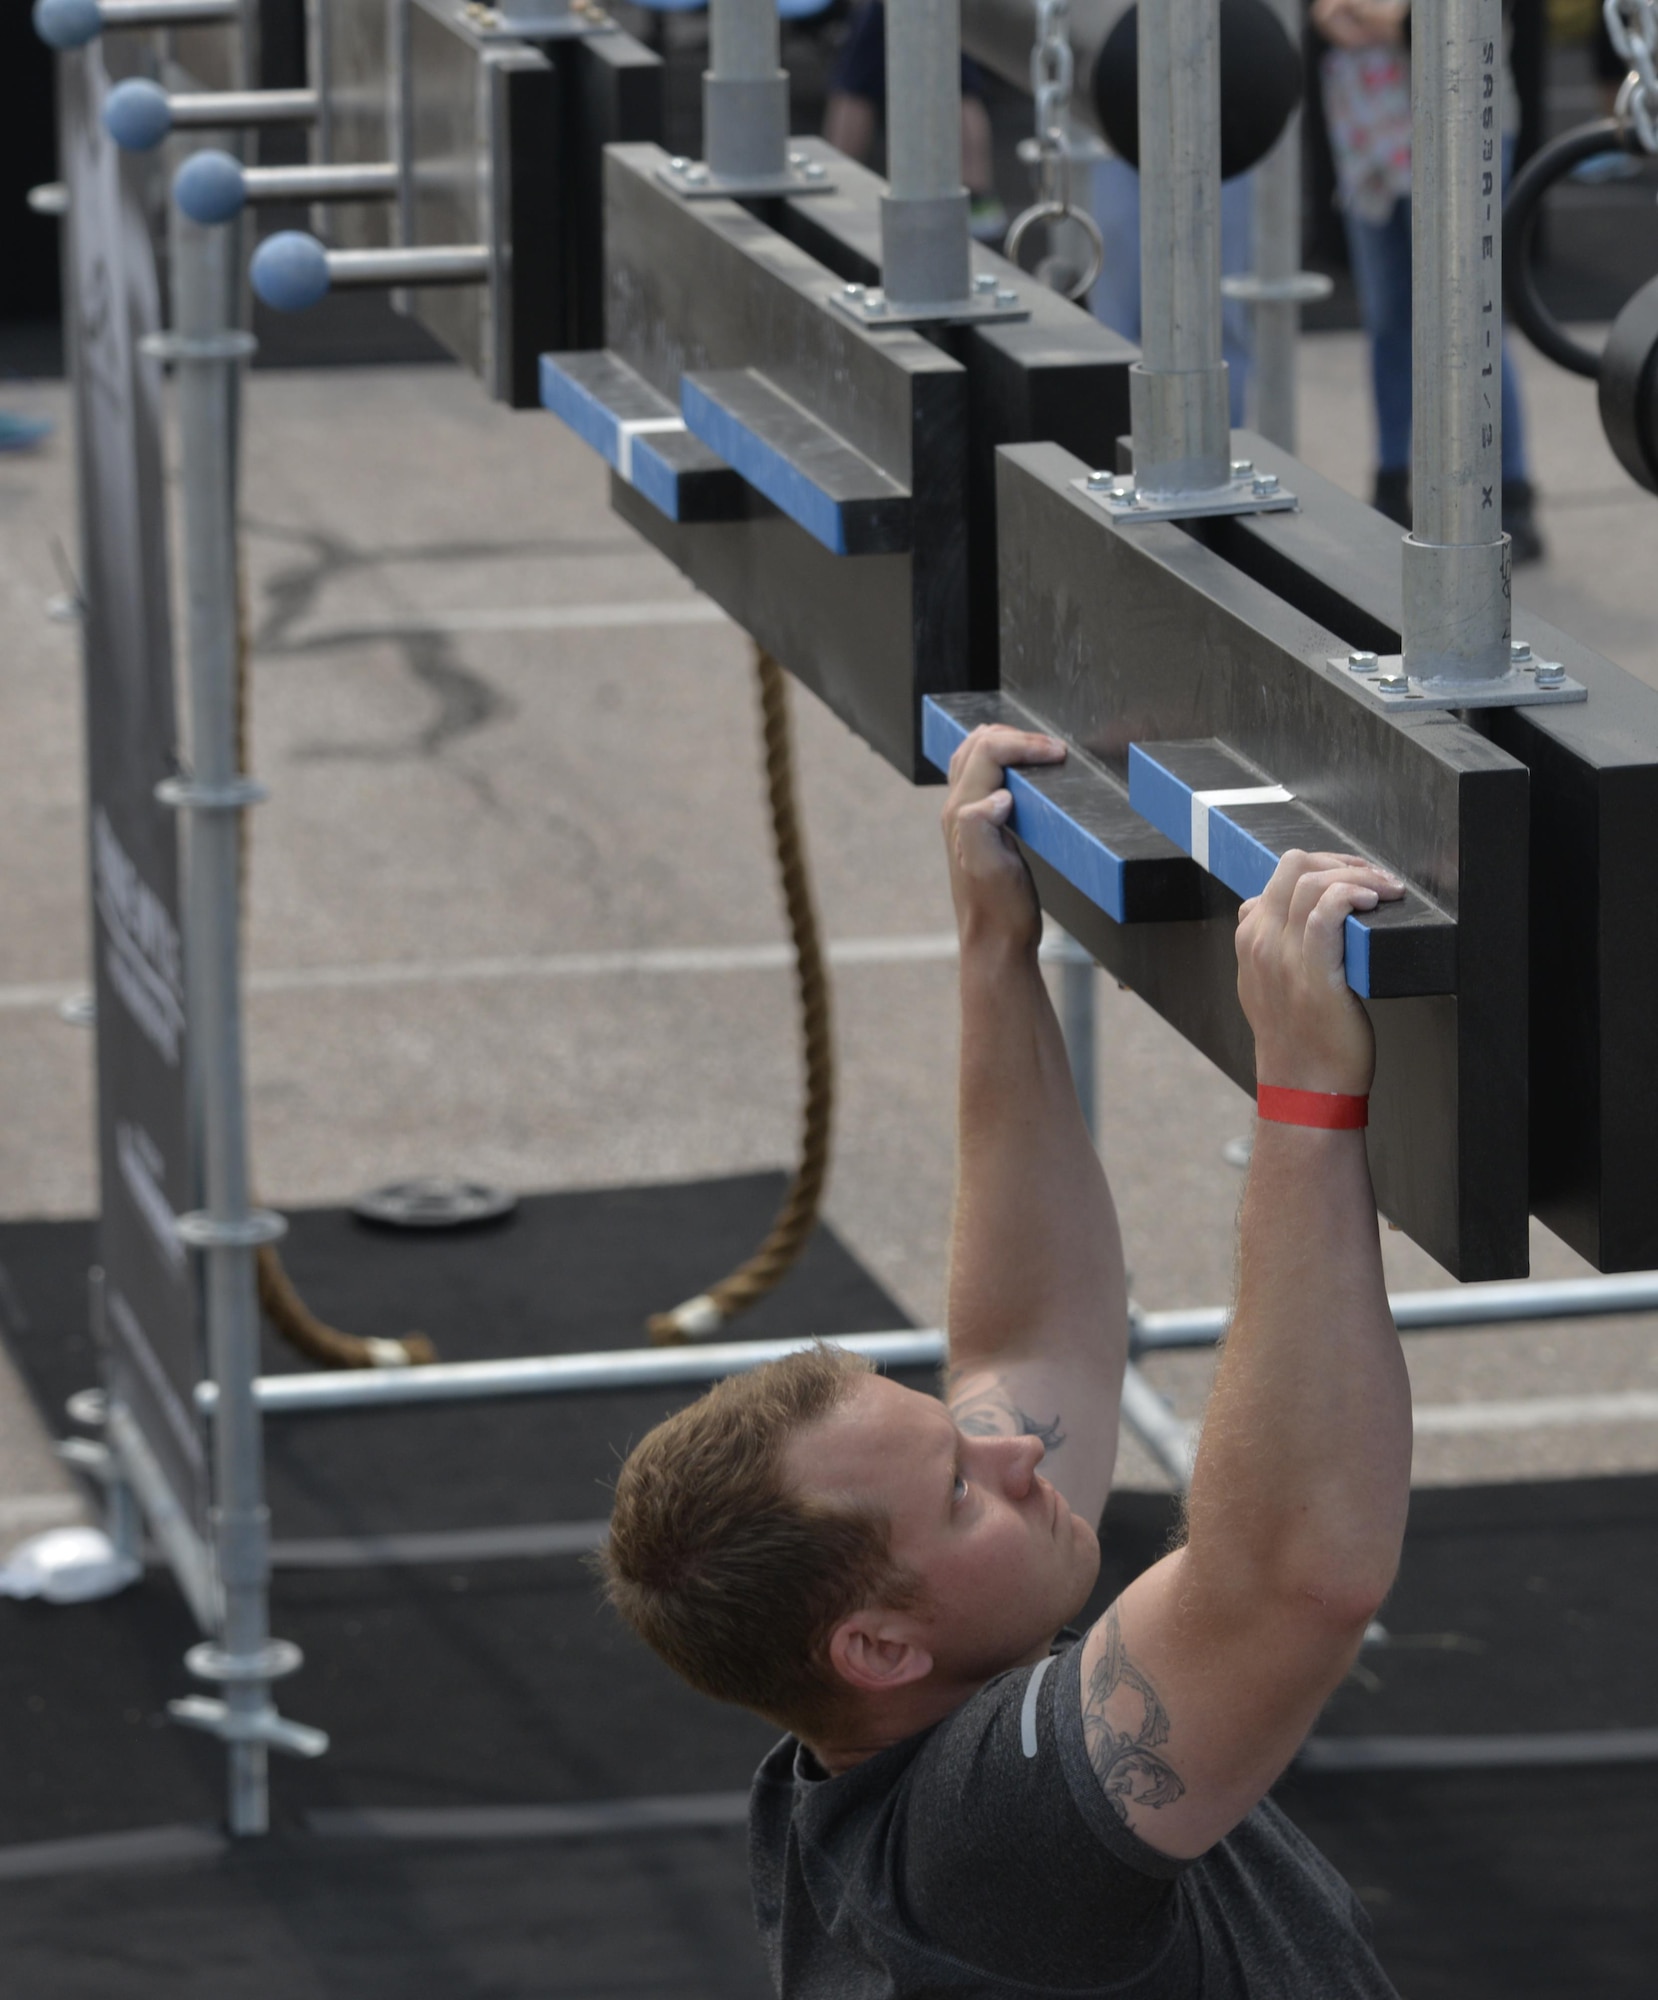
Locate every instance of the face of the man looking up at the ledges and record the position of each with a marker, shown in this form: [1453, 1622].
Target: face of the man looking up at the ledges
[1003, 1559]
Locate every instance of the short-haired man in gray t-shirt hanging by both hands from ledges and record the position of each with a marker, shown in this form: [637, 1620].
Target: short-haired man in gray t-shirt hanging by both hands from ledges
[965, 1803]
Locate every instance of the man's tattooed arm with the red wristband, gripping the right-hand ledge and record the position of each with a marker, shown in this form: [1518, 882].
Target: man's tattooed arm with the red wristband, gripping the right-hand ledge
[1203, 1679]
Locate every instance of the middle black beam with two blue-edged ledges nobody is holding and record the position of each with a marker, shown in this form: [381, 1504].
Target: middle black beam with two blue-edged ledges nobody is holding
[709, 287]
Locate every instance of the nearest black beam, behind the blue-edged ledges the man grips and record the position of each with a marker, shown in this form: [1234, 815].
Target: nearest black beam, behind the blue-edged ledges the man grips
[1121, 635]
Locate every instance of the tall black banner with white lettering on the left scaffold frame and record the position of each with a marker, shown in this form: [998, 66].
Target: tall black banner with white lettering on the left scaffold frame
[145, 1123]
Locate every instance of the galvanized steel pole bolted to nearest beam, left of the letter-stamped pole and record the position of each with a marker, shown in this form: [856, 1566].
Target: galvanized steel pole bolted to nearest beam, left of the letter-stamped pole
[1177, 393]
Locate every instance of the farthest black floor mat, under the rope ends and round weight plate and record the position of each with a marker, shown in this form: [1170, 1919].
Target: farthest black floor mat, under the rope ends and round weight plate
[565, 1275]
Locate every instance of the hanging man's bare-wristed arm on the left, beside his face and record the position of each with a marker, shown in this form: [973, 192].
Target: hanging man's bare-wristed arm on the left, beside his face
[1039, 1309]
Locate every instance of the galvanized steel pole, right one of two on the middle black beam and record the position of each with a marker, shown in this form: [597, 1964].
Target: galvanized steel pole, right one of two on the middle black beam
[925, 245]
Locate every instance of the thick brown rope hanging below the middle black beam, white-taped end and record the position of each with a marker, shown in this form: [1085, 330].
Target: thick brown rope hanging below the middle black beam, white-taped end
[711, 1311]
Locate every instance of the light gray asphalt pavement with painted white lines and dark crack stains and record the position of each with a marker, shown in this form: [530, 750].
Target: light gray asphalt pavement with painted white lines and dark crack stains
[513, 909]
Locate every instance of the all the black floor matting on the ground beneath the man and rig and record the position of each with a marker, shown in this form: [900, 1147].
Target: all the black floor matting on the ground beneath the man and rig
[491, 1685]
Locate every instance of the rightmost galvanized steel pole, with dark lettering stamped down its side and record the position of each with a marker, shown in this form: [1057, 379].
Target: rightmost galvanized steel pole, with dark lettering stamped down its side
[1457, 561]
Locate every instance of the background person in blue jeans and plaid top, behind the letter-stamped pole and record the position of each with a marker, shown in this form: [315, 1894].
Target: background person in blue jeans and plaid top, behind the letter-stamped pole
[1367, 103]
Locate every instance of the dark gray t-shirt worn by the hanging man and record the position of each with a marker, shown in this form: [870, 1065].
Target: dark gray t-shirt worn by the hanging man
[981, 1859]
